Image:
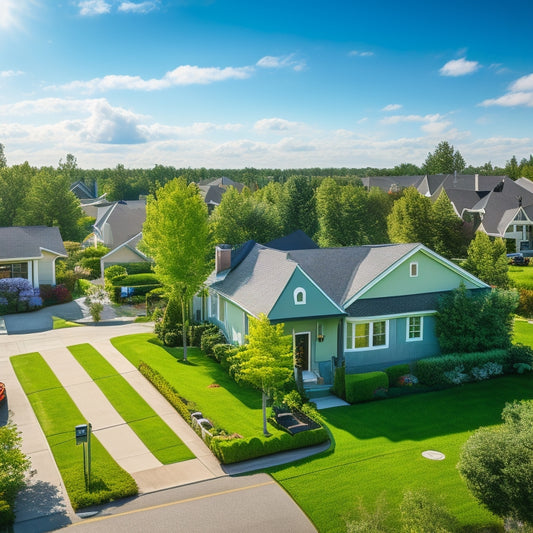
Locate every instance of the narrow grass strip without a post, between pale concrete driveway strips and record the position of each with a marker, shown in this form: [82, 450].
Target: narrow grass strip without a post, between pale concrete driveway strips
[155, 434]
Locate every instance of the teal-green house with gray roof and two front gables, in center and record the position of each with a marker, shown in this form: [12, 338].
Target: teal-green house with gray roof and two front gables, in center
[369, 306]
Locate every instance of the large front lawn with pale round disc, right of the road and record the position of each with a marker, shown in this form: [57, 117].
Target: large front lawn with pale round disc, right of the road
[378, 448]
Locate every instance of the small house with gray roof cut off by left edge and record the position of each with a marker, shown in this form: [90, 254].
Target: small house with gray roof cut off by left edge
[30, 252]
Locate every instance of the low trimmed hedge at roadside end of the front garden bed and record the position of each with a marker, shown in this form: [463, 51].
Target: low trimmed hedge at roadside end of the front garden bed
[236, 450]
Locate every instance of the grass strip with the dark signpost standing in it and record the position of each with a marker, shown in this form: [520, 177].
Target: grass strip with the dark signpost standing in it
[58, 416]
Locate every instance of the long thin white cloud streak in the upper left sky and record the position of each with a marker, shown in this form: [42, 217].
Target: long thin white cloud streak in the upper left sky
[183, 75]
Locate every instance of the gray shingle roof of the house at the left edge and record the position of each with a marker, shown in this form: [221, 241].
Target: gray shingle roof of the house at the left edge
[26, 242]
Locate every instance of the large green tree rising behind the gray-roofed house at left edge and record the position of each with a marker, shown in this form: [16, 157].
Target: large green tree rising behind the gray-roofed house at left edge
[50, 202]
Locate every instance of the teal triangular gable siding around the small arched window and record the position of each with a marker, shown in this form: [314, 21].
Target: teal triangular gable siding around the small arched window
[317, 303]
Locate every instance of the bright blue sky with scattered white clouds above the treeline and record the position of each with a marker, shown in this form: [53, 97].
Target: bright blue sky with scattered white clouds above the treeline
[279, 84]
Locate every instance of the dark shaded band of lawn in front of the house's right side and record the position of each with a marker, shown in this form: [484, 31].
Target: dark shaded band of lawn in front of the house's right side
[433, 414]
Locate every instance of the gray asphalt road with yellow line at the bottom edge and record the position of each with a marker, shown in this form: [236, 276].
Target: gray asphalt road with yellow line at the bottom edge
[239, 504]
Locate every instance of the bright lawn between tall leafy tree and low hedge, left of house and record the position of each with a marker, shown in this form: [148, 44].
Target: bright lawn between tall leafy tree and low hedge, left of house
[231, 407]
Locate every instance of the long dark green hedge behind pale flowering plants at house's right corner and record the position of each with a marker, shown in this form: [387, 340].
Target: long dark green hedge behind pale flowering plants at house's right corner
[430, 371]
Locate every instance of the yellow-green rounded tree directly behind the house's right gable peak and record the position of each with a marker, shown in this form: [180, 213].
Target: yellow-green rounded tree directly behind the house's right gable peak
[411, 219]
